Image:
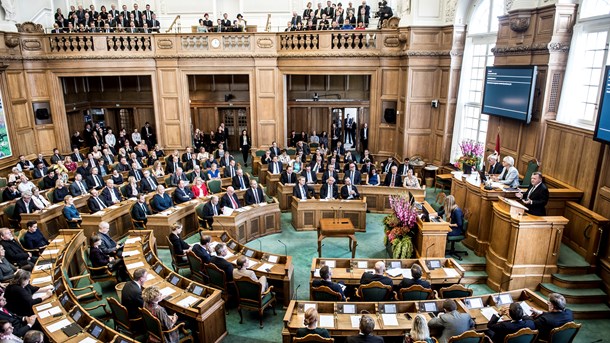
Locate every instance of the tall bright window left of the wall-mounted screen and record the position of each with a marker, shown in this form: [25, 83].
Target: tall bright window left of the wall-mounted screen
[470, 123]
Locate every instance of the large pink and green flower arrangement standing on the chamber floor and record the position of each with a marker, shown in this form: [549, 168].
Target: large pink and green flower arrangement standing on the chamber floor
[399, 226]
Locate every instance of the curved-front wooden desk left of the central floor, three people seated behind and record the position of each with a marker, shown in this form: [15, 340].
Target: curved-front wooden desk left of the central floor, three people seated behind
[251, 222]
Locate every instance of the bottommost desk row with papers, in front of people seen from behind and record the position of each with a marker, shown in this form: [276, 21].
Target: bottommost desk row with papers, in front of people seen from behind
[395, 318]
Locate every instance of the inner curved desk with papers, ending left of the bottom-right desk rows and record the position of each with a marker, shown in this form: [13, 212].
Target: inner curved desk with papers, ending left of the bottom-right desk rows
[280, 275]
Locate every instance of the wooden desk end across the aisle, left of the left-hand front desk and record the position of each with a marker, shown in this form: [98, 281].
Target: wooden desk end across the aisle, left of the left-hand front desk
[162, 222]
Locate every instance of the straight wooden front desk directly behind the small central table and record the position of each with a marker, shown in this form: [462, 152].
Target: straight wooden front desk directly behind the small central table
[306, 214]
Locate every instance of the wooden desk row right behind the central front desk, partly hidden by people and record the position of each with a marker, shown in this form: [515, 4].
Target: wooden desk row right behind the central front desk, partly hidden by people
[377, 197]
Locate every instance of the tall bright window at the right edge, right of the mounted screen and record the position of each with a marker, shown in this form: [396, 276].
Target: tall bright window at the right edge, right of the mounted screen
[586, 62]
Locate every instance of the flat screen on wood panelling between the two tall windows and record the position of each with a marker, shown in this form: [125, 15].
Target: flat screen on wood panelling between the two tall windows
[509, 92]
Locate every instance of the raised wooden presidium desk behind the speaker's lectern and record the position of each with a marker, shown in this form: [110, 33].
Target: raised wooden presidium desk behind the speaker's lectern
[471, 196]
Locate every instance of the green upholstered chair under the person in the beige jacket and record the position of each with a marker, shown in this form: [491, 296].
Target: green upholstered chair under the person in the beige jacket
[250, 297]
